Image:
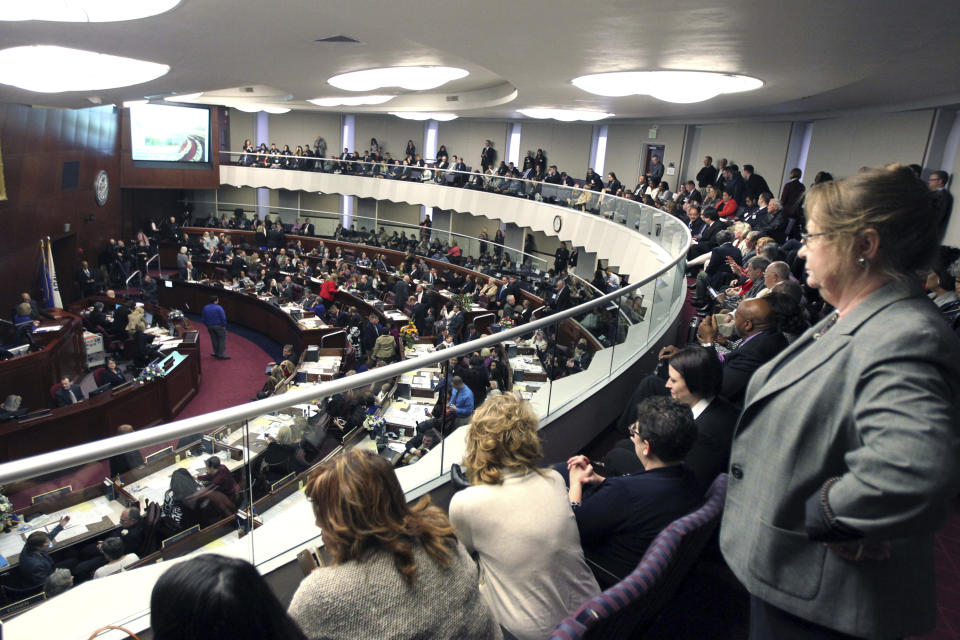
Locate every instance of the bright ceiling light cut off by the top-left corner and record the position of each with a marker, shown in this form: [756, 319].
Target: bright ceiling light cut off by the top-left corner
[83, 10]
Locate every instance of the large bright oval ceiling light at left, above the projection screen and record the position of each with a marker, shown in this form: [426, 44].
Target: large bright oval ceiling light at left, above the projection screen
[51, 69]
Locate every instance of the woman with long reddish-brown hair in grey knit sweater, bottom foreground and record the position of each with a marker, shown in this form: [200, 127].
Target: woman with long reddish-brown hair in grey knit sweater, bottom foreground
[397, 570]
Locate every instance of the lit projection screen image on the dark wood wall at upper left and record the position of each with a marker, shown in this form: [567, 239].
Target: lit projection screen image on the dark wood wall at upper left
[163, 133]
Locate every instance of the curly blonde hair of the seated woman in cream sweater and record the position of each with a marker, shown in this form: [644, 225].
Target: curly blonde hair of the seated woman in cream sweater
[502, 436]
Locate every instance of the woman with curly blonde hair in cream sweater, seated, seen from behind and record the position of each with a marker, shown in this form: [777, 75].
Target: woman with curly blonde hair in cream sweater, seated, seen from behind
[516, 520]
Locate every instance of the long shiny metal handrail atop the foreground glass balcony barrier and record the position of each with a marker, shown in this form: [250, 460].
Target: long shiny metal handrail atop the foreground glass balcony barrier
[102, 449]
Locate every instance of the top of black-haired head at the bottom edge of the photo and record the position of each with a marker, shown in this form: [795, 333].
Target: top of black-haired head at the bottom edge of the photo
[213, 596]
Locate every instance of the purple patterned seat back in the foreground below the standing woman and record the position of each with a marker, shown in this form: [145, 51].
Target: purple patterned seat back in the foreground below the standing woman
[629, 608]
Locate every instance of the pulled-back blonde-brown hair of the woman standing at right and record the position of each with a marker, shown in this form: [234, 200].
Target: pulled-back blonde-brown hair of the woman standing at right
[891, 200]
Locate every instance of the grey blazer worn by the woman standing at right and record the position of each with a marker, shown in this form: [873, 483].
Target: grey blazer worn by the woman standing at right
[871, 403]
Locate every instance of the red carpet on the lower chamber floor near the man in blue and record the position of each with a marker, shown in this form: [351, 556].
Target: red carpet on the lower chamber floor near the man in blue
[224, 383]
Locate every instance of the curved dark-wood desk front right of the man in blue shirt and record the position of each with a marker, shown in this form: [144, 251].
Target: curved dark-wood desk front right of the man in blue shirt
[249, 311]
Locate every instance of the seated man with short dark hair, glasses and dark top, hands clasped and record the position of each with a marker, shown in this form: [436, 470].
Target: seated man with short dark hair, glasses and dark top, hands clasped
[619, 517]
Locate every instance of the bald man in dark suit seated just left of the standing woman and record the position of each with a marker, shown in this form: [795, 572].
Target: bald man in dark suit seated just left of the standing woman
[760, 342]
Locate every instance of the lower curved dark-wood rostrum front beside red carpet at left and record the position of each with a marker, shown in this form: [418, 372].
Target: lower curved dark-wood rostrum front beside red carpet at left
[141, 405]
